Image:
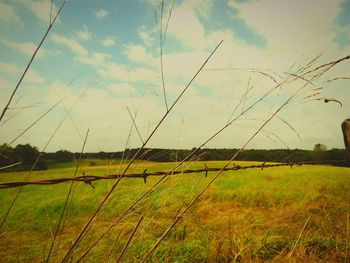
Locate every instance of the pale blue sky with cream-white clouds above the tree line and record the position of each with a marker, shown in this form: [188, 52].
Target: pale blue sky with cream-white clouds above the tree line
[101, 62]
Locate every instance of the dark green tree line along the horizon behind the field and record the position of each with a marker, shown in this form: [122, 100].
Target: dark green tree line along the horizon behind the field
[26, 155]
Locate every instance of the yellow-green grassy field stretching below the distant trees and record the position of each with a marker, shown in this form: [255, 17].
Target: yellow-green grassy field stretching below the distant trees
[246, 216]
